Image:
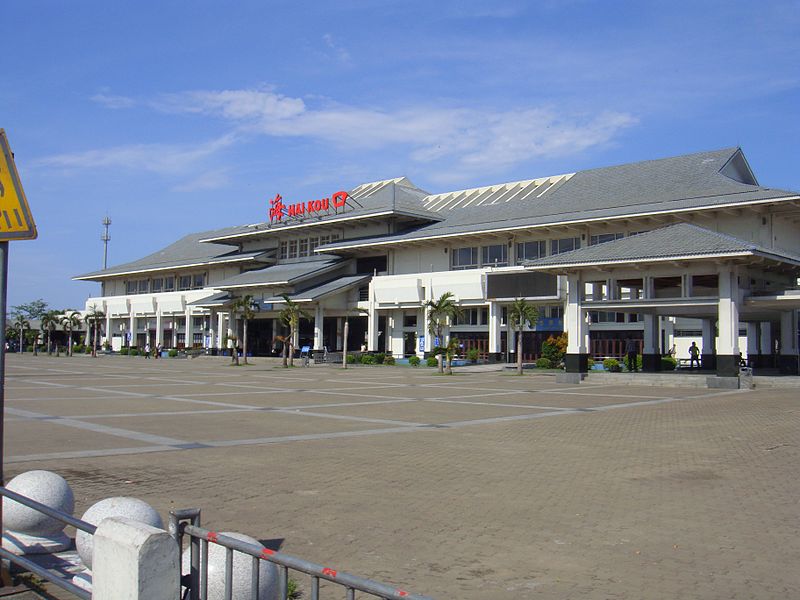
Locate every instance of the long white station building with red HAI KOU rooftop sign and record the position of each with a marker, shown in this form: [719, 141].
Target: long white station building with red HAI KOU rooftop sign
[665, 252]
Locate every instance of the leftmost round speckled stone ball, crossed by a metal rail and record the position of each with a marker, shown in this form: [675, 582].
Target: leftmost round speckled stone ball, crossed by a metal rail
[46, 488]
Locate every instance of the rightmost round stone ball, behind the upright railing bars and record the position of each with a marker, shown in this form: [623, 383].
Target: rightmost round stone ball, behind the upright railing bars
[242, 571]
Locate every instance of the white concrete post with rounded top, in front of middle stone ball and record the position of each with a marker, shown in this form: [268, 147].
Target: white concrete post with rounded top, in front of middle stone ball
[134, 561]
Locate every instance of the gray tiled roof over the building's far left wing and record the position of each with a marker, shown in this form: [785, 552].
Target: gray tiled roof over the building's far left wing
[186, 251]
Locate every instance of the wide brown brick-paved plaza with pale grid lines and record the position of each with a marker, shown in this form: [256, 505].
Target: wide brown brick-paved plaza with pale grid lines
[482, 485]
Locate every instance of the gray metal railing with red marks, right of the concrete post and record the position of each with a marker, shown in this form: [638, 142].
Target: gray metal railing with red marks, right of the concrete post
[187, 522]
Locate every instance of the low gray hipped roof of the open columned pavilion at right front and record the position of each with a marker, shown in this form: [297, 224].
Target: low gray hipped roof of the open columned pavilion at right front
[681, 240]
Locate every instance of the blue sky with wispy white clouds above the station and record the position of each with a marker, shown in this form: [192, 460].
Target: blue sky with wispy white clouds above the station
[174, 117]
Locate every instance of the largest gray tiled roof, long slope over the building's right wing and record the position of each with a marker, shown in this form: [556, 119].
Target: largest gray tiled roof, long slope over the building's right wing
[669, 184]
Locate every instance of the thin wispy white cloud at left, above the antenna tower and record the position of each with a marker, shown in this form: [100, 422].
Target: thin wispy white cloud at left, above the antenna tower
[165, 159]
